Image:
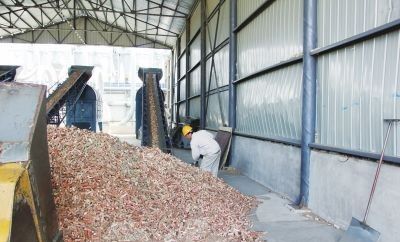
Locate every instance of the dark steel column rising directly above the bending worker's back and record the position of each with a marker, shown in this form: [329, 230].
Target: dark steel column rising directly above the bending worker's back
[203, 75]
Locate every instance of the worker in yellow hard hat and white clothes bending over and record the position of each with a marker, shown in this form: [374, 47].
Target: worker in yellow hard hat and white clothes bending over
[203, 143]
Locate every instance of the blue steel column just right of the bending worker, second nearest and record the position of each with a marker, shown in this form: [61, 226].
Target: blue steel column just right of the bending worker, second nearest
[232, 62]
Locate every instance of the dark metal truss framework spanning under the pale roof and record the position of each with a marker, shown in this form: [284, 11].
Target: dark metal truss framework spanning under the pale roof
[149, 23]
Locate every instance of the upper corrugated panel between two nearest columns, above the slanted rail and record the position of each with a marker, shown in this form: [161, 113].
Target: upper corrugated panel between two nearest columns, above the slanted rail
[274, 36]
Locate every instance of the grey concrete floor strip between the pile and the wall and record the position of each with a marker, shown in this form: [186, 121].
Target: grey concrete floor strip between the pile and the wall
[274, 215]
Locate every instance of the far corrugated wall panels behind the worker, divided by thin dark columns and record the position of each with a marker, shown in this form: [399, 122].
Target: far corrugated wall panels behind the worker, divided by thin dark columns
[217, 13]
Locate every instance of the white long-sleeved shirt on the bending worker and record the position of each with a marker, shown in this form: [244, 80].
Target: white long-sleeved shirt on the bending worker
[203, 143]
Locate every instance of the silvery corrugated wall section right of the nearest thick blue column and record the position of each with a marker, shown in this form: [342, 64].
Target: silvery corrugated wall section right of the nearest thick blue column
[358, 86]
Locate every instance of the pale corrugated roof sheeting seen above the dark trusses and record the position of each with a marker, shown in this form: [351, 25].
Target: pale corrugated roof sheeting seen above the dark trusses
[158, 21]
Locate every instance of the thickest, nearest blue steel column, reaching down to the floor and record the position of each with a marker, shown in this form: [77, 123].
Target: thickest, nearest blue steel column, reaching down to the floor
[309, 96]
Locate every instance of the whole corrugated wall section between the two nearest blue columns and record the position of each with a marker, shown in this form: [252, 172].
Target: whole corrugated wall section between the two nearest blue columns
[269, 105]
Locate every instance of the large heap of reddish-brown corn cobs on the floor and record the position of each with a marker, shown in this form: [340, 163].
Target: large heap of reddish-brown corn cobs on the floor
[111, 191]
